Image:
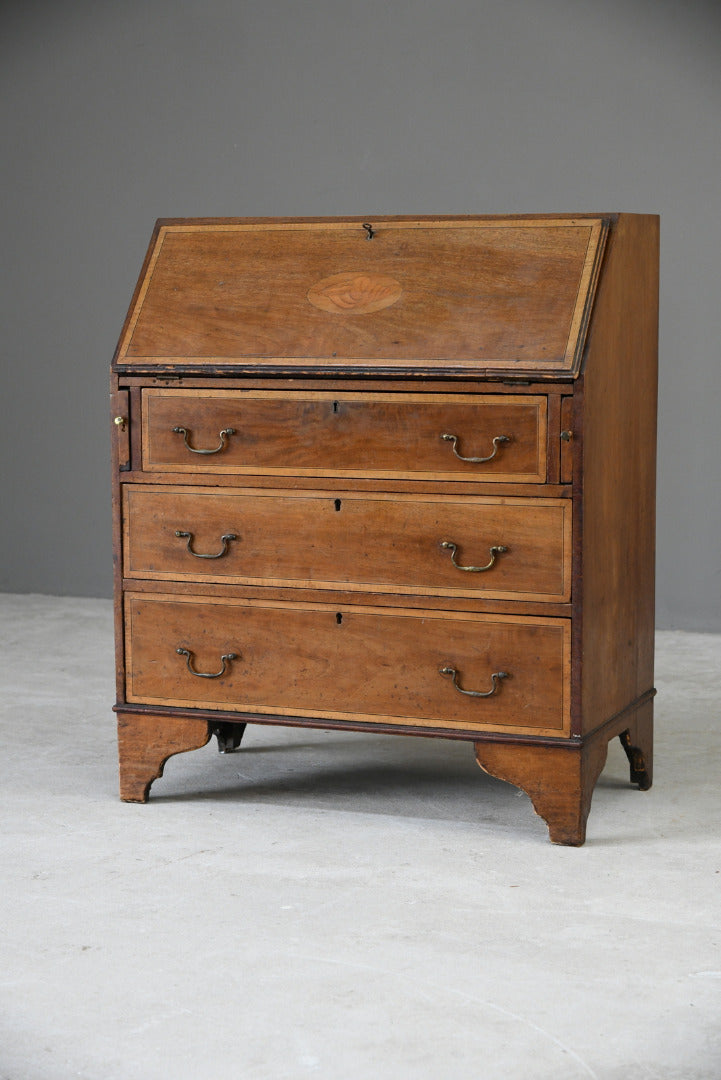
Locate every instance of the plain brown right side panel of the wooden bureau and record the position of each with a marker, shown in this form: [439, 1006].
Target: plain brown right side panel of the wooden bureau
[615, 477]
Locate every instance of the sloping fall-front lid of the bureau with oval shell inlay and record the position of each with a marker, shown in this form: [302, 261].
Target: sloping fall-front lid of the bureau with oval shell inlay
[479, 293]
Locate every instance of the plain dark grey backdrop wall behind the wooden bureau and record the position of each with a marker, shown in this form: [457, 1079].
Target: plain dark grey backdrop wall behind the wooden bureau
[118, 113]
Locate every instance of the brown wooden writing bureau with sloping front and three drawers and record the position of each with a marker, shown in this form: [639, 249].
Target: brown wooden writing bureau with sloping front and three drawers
[392, 476]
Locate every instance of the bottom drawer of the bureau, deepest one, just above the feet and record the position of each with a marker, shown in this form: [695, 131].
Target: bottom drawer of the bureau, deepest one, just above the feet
[362, 666]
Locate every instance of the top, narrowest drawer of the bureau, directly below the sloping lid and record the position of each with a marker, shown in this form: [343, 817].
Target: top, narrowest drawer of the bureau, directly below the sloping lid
[322, 434]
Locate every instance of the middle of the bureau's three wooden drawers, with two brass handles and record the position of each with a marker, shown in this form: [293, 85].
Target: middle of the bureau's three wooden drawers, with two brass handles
[399, 544]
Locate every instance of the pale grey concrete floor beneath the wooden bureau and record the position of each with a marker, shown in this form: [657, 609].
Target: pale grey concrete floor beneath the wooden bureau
[341, 906]
